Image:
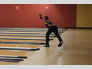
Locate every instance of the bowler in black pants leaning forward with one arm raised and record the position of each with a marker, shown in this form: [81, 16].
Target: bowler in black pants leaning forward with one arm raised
[51, 28]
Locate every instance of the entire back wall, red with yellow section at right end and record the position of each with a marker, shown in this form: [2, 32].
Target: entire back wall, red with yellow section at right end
[62, 15]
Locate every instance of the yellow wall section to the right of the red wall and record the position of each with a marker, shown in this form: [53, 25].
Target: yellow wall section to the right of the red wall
[84, 15]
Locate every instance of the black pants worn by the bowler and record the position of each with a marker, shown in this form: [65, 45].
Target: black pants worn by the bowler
[50, 30]
